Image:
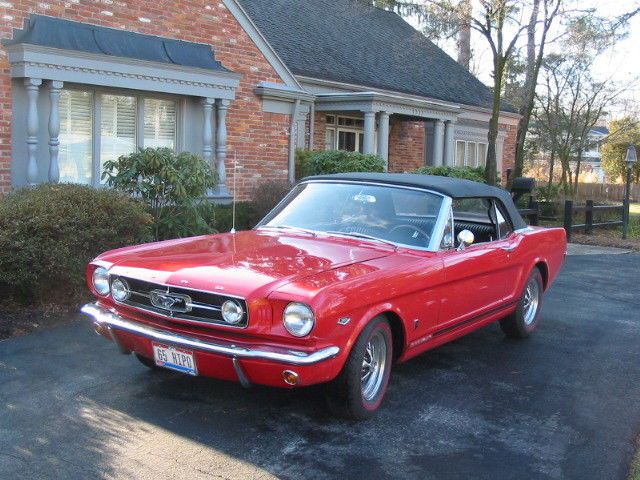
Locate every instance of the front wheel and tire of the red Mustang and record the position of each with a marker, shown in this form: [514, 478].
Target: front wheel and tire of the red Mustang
[359, 389]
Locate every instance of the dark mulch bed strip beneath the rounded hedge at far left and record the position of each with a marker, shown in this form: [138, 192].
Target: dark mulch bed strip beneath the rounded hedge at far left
[19, 320]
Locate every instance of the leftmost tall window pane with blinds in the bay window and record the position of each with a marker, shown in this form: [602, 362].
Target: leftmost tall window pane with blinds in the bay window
[76, 128]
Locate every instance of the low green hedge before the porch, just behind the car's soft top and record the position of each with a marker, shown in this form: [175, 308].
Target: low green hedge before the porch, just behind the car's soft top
[322, 163]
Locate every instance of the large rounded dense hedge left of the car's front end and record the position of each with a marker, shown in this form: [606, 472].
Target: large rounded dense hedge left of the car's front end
[50, 232]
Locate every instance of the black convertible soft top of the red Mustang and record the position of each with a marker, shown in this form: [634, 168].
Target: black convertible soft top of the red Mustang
[452, 187]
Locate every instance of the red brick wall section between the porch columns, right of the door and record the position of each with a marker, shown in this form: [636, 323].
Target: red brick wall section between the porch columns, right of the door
[406, 145]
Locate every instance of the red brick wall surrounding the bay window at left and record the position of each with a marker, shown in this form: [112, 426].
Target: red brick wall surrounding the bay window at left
[260, 139]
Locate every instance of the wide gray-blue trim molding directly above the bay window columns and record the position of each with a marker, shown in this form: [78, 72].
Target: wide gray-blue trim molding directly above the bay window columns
[33, 61]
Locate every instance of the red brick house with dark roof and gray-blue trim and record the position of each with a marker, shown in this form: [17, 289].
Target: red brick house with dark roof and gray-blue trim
[244, 83]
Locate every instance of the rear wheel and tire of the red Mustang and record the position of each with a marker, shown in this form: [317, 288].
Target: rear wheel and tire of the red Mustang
[525, 319]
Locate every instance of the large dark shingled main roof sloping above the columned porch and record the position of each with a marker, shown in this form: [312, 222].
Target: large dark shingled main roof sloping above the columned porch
[351, 42]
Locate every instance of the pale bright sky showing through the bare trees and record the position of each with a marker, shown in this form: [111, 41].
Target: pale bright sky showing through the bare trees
[621, 64]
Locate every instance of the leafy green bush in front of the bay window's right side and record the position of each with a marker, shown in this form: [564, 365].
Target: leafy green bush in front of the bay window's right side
[172, 185]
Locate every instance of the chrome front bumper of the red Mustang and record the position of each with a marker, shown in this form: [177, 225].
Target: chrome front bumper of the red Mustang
[105, 318]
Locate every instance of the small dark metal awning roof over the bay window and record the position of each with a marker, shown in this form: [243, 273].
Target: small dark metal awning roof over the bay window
[65, 34]
